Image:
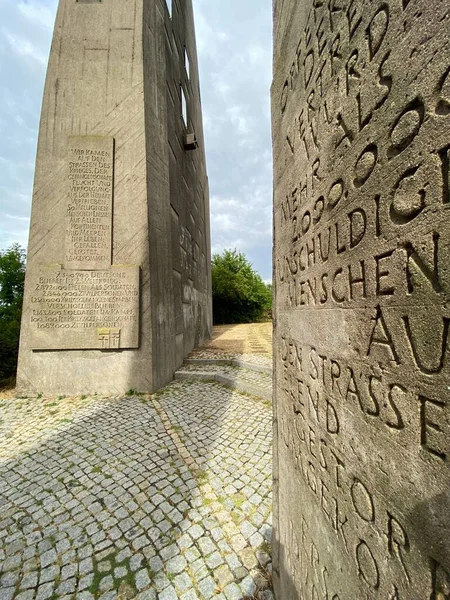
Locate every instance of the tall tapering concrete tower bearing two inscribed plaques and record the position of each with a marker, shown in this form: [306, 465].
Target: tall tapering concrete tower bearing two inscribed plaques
[118, 284]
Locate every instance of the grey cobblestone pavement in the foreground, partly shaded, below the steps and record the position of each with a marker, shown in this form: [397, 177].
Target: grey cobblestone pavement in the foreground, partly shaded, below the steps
[158, 497]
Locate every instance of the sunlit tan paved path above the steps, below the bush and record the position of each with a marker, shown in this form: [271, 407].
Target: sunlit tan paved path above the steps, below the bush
[252, 338]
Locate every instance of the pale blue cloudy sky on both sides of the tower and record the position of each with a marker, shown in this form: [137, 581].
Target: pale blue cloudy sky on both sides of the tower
[234, 41]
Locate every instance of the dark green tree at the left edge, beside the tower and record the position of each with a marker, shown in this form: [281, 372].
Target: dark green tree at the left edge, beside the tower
[12, 277]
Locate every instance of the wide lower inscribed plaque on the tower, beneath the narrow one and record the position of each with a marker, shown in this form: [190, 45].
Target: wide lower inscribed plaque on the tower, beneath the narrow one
[74, 309]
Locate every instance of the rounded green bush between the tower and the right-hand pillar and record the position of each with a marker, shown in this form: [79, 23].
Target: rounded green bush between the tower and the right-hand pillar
[239, 293]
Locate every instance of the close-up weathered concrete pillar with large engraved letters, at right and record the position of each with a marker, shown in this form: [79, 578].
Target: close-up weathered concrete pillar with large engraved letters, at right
[361, 117]
